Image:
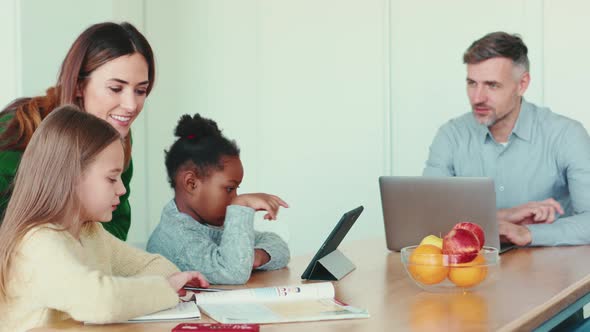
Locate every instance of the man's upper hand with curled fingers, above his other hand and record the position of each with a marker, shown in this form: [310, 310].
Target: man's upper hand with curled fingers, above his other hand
[531, 213]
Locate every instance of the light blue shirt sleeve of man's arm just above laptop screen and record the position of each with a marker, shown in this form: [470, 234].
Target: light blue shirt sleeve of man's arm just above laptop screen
[440, 157]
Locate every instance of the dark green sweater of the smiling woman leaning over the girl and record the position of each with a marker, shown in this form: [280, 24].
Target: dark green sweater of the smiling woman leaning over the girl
[9, 160]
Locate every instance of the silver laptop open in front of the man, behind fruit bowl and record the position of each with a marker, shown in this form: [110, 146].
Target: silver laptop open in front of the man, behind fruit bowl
[414, 207]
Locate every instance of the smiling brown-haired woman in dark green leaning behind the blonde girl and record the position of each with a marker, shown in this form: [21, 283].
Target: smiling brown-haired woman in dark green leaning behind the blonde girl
[108, 72]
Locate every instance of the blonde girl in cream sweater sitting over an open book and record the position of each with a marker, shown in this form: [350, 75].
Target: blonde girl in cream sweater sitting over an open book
[56, 261]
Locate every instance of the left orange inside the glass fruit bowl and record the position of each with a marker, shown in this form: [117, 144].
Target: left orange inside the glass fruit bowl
[426, 264]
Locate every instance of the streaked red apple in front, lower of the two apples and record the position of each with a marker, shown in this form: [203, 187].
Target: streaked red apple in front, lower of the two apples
[460, 246]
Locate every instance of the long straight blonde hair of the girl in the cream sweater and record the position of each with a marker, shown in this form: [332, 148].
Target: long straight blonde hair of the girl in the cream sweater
[63, 146]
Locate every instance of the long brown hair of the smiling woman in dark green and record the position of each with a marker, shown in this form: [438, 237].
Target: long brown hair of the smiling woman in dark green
[97, 45]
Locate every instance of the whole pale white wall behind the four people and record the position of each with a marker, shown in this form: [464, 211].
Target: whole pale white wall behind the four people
[322, 96]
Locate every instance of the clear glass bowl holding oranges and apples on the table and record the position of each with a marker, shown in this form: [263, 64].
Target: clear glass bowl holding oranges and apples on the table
[437, 272]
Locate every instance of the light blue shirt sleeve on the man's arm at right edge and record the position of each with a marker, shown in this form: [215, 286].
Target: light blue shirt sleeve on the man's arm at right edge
[574, 158]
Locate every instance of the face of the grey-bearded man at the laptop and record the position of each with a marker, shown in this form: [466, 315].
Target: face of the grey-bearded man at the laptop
[494, 88]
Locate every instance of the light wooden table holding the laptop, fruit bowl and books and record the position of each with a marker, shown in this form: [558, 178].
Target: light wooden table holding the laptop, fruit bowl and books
[534, 284]
